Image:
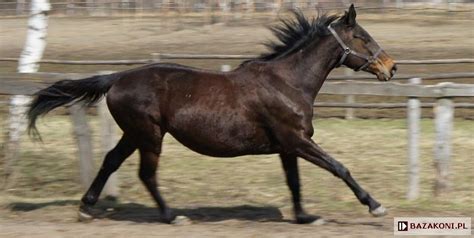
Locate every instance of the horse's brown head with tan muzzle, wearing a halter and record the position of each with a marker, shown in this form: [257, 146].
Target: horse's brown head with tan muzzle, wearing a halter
[360, 51]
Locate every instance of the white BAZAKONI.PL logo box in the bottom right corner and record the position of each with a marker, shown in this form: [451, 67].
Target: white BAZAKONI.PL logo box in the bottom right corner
[432, 225]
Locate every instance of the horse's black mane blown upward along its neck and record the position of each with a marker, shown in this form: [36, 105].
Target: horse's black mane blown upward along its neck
[295, 33]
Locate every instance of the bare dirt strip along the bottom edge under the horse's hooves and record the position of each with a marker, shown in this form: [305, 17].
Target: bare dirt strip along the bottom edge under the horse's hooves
[243, 221]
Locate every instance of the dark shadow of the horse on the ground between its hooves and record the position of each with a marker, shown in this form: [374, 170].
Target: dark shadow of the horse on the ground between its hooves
[145, 214]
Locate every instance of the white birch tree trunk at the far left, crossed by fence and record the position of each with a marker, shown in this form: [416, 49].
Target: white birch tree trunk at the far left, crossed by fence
[28, 63]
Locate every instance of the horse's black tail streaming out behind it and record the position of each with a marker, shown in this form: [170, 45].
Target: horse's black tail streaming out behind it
[88, 90]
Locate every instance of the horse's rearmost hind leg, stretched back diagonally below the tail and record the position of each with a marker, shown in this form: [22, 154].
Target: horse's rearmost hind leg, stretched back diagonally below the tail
[112, 162]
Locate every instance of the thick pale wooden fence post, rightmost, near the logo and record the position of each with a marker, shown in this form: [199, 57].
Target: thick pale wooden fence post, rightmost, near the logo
[444, 113]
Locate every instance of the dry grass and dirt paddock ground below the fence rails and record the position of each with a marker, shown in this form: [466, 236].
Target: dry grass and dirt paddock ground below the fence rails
[244, 196]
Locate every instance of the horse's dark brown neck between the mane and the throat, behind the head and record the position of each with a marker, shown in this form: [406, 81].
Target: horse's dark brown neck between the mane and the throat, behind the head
[311, 66]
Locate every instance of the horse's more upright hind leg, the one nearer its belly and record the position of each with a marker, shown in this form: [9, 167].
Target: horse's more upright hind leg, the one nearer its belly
[149, 159]
